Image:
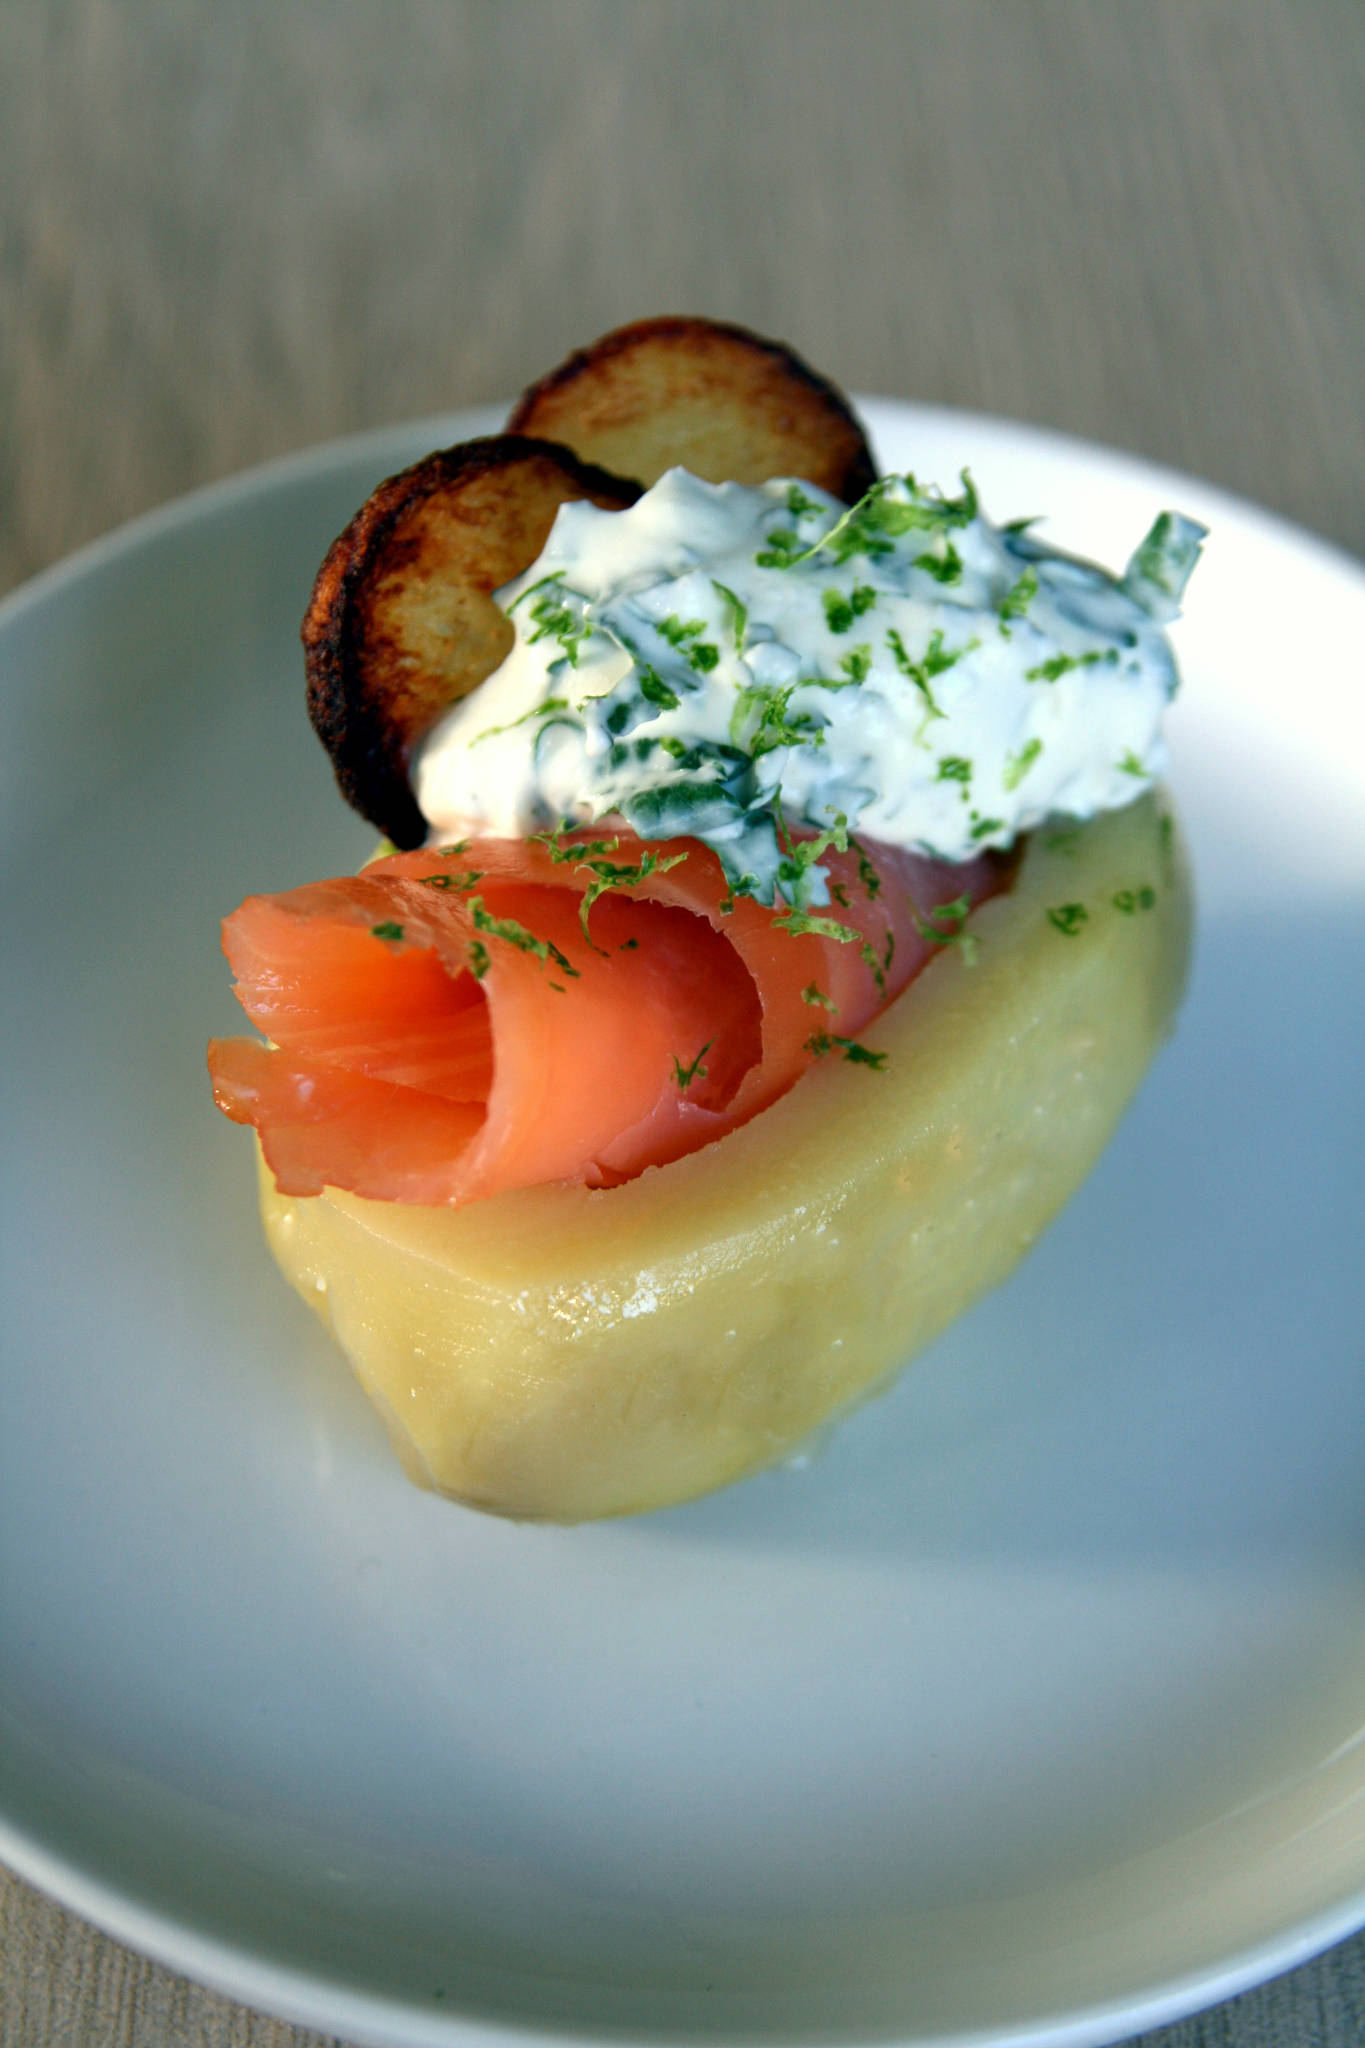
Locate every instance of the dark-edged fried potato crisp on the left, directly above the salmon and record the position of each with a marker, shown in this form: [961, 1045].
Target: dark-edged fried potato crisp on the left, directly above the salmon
[402, 620]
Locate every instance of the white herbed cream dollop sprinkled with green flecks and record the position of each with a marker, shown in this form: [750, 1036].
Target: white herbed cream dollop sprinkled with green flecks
[750, 665]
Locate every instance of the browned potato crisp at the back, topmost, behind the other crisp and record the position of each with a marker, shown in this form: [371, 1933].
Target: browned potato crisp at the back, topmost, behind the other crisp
[723, 402]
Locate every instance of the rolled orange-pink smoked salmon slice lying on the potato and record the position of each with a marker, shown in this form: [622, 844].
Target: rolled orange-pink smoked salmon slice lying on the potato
[464, 1021]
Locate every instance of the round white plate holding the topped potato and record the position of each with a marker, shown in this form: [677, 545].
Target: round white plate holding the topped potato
[1032, 1711]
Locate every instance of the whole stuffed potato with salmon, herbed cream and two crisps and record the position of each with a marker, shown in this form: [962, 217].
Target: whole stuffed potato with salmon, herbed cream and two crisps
[779, 912]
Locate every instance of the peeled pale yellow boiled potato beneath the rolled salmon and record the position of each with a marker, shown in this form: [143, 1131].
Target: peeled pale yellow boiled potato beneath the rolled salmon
[568, 1353]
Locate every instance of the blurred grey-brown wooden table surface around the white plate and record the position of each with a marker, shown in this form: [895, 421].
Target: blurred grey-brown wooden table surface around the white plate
[228, 232]
